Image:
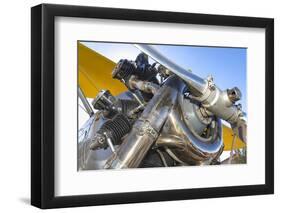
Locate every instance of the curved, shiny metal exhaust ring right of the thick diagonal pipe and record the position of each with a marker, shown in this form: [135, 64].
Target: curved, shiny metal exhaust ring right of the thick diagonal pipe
[183, 136]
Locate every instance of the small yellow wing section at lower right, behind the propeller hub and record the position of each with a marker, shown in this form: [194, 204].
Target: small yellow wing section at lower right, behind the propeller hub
[228, 137]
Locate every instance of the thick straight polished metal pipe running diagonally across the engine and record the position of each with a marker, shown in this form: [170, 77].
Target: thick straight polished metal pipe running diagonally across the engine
[146, 129]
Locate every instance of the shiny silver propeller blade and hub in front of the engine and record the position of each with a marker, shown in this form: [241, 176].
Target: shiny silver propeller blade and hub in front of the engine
[204, 91]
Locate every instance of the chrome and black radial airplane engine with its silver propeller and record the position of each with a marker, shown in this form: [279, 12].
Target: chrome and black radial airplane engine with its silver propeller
[167, 112]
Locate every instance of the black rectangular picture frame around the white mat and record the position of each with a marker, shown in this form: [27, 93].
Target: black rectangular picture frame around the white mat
[43, 102]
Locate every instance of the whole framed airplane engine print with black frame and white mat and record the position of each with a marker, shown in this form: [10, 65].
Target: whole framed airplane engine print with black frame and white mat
[140, 106]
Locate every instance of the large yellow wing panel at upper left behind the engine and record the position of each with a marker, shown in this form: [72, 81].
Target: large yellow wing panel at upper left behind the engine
[95, 73]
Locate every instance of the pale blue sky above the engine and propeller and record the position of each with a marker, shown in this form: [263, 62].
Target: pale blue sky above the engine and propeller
[227, 65]
